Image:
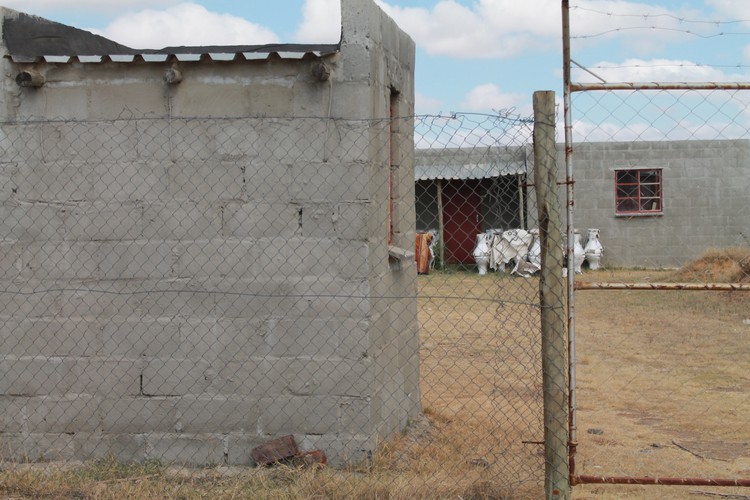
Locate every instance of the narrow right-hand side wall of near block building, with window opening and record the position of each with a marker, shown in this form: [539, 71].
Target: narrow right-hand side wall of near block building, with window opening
[395, 396]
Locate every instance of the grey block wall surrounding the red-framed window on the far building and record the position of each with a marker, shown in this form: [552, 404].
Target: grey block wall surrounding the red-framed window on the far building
[705, 186]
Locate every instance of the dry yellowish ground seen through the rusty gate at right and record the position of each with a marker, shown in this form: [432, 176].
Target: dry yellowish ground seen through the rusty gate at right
[664, 383]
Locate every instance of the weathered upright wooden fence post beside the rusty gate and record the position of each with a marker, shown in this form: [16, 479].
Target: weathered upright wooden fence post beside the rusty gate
[552, 300]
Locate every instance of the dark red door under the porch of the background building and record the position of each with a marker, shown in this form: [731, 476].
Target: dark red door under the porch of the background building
[462, 219]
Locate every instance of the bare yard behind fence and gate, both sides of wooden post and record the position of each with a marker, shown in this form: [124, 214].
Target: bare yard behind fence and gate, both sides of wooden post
[663, 378]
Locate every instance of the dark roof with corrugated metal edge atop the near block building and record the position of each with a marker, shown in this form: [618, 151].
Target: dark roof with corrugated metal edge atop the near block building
[31, 39]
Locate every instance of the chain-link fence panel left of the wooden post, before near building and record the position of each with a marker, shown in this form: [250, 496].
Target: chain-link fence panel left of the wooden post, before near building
[191, 291]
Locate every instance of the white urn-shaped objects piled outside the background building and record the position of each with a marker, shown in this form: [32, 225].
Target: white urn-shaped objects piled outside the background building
[496, 248]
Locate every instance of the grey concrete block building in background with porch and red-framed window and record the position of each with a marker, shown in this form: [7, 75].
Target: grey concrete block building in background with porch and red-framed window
[657, 204]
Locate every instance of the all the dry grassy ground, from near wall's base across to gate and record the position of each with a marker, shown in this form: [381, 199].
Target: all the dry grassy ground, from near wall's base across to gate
[663, 390]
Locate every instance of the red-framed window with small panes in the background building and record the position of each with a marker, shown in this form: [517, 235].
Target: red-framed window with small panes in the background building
[638, 191]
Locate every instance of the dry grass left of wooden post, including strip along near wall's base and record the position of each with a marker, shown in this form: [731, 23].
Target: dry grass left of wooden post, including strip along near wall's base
[481, 398]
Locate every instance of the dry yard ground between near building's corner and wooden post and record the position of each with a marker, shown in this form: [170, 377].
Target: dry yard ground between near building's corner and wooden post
[481, 380]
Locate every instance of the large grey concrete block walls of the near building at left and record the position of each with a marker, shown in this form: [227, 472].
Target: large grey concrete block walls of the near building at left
[184, 288]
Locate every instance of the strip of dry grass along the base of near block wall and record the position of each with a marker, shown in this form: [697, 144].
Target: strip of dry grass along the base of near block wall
[280, 482]
